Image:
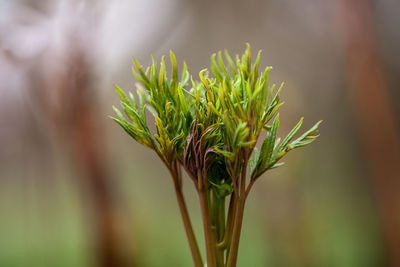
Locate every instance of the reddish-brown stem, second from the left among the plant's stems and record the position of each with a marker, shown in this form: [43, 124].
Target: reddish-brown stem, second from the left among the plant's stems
[208, 235]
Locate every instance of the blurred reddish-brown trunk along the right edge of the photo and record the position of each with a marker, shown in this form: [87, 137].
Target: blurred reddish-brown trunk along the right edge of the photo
[374, 111]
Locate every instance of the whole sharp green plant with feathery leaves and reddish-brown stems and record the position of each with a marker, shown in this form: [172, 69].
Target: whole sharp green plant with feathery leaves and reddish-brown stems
[211, 128]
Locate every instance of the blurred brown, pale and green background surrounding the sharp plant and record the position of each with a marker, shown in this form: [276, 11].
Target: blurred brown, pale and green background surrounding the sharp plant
[75, 190]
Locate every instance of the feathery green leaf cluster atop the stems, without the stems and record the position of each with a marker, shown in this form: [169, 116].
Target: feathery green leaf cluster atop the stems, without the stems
[211, 126]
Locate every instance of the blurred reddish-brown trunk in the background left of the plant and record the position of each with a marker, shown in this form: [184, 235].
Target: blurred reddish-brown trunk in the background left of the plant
[89, 152]
